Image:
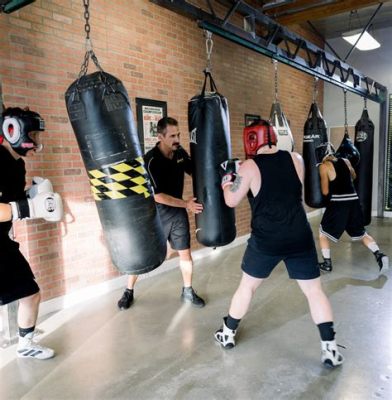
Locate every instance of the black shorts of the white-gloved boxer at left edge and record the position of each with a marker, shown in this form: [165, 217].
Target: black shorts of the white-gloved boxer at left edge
[16, 278]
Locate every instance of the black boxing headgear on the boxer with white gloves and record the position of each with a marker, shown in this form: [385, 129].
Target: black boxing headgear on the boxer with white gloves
[17, 126]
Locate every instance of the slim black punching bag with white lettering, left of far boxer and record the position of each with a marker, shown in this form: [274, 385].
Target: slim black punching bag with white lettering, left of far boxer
[315, 133]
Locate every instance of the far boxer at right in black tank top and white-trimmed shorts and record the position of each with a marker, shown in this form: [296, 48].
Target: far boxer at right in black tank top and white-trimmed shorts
[343, 211]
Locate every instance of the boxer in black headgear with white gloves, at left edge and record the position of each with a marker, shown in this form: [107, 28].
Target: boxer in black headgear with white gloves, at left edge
[20, 138]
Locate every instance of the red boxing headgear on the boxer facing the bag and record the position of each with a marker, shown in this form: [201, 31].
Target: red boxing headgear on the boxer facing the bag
[260, 133]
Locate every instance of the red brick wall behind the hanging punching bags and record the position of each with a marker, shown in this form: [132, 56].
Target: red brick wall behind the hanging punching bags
[157, 54]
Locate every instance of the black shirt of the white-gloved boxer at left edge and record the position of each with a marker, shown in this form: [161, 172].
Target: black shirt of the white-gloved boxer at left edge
[12, 183]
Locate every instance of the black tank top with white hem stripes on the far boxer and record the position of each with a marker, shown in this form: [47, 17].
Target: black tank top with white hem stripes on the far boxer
[342, 187]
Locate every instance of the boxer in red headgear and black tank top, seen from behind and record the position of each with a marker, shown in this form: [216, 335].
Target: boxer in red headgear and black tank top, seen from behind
[280, 232]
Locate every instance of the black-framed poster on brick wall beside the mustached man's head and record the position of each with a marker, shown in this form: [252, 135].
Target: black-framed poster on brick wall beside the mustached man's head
[148, 113]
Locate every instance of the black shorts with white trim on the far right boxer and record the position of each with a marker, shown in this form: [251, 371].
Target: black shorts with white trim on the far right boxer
[343, 216]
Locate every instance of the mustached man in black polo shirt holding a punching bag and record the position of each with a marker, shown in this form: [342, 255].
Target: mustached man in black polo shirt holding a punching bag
[166, 164]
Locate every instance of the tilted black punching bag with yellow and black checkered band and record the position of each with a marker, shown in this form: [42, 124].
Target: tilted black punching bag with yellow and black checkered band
[101, 117]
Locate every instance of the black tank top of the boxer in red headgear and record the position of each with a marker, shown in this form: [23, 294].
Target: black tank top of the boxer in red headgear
[279, 223]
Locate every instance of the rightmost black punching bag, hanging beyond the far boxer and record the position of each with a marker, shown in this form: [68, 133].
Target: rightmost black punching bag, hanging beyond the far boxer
[364, 142]
